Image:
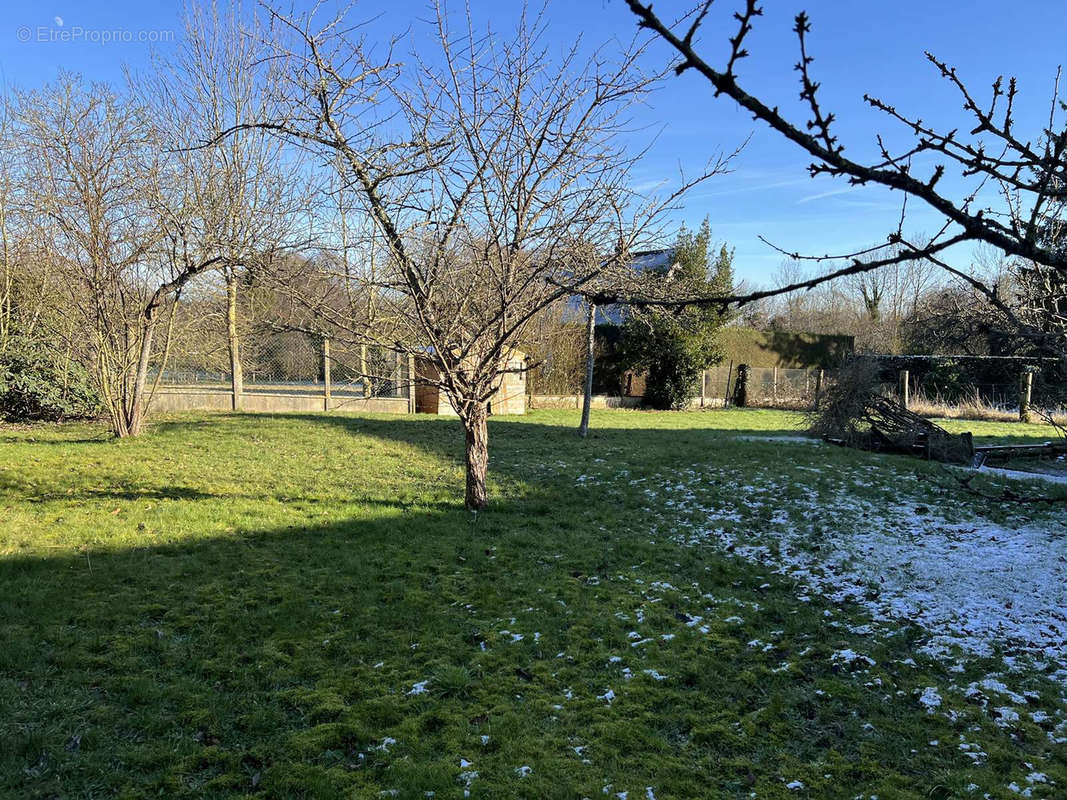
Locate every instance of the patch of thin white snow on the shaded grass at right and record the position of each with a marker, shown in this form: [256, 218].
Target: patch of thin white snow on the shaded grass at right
[979, 586]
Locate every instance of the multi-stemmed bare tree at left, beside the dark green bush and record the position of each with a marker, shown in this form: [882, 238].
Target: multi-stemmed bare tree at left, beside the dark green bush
[92, 167]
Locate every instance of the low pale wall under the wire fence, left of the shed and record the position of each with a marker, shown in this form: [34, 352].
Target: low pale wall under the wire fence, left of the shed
[171, 398]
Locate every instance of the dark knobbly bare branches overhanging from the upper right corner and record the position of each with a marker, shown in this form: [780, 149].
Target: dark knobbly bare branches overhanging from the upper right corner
[1016, 182]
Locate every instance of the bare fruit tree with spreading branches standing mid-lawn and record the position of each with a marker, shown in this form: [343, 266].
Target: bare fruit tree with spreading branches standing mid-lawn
[497, 182]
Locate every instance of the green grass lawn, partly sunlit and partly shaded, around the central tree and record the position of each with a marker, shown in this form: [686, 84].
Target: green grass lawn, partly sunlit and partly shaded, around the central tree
[299, 607]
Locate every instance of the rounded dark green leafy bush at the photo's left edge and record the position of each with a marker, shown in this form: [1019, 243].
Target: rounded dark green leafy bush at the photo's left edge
[36, 386]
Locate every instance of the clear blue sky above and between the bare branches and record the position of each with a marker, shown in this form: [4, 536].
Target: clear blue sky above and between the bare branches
[872, 46]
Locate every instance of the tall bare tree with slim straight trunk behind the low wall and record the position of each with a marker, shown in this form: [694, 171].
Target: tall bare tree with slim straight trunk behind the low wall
[240, 203]
